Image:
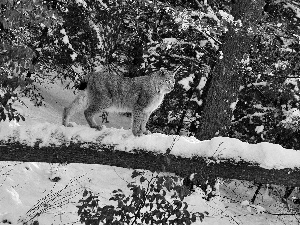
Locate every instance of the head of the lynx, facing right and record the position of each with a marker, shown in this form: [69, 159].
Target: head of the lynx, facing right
[164, 80]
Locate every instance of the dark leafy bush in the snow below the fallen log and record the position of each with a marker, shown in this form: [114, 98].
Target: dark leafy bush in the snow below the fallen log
[158, 200]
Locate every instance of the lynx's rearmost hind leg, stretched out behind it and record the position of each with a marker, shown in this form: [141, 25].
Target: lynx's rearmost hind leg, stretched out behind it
[79, 103]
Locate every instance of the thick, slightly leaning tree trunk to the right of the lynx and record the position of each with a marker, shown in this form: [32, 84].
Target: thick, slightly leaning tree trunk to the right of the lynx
[225, 83]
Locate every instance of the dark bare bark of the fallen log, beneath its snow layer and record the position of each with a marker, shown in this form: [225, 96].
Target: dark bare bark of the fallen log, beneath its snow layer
[143, 159]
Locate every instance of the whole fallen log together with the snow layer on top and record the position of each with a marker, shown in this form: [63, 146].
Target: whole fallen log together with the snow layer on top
[219, 157]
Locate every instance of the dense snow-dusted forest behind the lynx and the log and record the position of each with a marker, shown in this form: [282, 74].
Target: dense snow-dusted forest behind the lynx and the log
[238, 60]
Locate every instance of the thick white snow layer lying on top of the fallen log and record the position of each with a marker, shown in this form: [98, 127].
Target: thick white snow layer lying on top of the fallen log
[266, 155]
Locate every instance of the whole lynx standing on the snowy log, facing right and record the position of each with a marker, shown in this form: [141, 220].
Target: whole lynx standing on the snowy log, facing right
[110, 92]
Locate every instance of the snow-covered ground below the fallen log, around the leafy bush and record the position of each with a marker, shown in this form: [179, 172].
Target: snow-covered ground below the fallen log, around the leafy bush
[27, 192]
